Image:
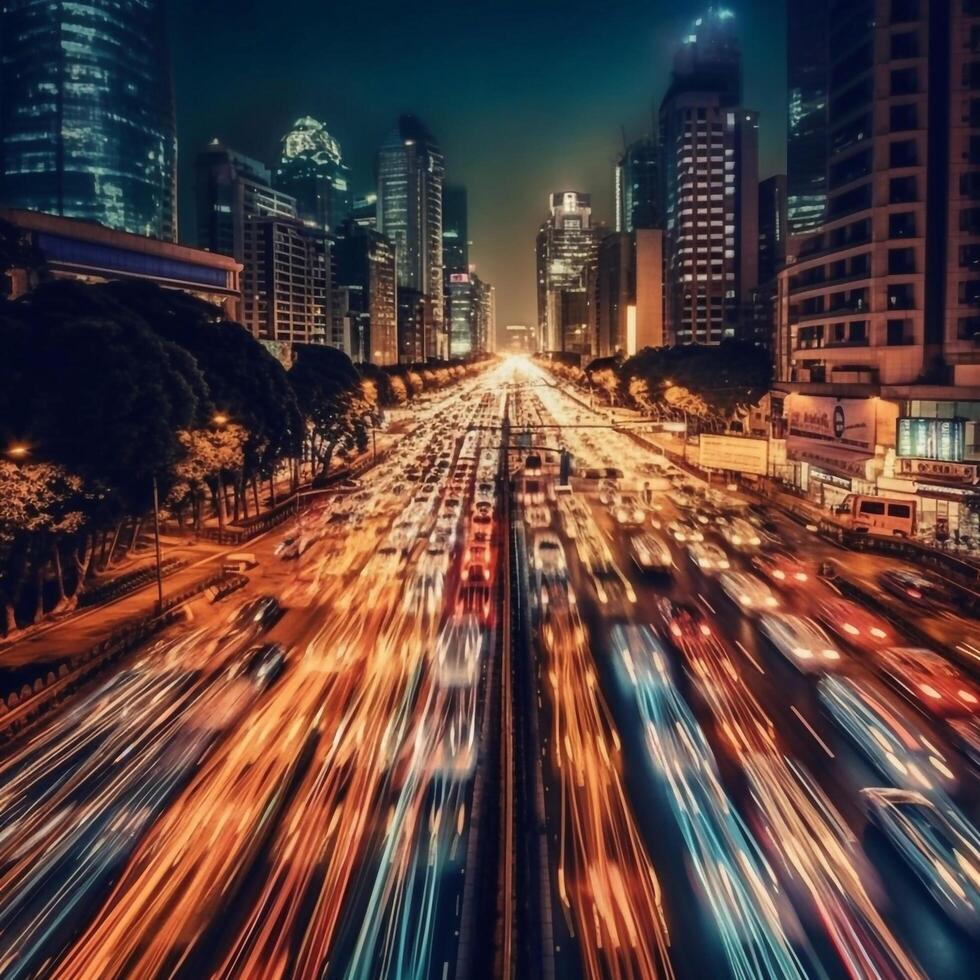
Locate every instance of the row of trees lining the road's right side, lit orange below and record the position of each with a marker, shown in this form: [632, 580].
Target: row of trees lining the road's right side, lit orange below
[713, 387]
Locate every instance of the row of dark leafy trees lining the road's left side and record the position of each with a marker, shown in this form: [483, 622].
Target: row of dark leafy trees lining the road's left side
[106, 388]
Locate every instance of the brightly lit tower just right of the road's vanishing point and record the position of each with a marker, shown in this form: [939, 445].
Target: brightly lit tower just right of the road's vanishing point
[566, 246]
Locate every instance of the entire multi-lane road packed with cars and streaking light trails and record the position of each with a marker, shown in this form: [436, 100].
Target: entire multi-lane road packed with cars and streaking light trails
[472, 720]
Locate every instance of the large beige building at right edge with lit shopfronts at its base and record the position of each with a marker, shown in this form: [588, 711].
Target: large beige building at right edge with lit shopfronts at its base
[878, 353]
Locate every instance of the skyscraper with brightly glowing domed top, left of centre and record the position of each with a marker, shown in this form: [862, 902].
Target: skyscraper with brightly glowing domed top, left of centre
[312, 171]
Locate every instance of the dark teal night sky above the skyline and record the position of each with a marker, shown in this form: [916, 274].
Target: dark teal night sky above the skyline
[524, 96]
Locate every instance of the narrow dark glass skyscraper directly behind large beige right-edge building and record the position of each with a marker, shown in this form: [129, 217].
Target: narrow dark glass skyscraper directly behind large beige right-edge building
[806, 146]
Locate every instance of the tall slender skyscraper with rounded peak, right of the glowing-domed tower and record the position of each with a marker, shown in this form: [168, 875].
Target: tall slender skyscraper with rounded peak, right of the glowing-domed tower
[410, 178]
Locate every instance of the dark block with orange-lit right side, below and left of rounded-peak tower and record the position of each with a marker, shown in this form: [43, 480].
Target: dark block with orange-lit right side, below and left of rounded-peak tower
[364, 262]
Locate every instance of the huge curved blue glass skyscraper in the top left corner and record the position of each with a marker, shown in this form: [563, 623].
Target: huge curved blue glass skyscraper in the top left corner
[87, 115]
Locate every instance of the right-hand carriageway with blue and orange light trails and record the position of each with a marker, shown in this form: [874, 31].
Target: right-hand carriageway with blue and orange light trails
[738, 794]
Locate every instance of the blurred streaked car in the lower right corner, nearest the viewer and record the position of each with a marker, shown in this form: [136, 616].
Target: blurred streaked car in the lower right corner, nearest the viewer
[938, 843]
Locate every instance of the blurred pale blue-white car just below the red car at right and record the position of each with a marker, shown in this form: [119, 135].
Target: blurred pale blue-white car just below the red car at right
[893, 743]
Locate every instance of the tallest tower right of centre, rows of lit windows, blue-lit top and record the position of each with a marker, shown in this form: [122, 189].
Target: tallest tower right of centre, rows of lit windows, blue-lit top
[709, 147]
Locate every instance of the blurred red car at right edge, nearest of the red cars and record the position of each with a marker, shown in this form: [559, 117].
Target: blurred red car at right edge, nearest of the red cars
[929, 681]
